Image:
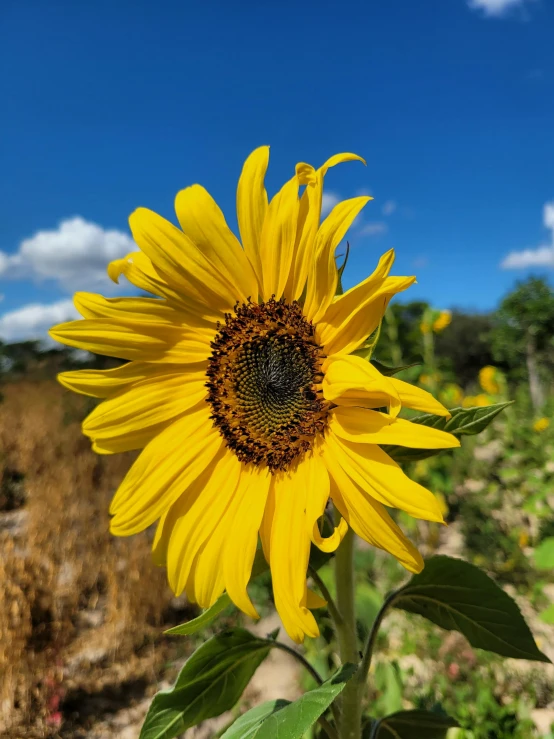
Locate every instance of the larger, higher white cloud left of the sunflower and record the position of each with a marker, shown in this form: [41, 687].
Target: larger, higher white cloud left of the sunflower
[75, 255]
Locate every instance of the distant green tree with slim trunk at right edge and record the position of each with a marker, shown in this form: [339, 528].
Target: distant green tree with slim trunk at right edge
[523, 331]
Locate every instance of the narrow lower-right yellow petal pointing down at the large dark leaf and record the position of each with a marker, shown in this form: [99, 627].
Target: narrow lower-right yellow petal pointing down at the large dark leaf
[370, 520]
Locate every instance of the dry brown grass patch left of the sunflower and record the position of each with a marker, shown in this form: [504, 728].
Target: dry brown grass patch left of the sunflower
[79, 609]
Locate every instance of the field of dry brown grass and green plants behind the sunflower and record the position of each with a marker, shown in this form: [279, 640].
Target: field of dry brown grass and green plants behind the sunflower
[82, 613]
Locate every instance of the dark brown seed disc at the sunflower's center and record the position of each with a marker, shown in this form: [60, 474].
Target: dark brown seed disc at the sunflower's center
[264, 378]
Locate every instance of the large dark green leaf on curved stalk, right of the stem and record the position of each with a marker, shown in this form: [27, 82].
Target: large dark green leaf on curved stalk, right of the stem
[458, 596]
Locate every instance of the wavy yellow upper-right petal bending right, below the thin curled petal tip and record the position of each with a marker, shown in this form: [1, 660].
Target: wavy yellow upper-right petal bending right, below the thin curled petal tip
[323, 276]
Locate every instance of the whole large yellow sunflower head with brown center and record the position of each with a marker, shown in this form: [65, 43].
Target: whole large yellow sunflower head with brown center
[243, 392]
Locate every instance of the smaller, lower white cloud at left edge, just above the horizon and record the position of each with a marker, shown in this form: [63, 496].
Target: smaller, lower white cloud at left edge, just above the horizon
[33, 320]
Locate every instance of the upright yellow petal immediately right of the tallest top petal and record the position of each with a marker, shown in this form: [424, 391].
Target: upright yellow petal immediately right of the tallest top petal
[278, 238]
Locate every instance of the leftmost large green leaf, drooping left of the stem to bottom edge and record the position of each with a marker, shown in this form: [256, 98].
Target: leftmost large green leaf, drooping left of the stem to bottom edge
[210, 683]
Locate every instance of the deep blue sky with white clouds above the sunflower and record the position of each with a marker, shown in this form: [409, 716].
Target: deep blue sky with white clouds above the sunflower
[113, 105]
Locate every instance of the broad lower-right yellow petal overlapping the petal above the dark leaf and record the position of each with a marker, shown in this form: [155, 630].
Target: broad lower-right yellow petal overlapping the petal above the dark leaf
[380, 477]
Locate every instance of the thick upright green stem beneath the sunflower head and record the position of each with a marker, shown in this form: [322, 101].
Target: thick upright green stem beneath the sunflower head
[351, 711]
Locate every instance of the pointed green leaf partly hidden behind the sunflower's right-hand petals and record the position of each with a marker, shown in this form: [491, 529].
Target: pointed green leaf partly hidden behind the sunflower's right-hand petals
[463, 422]
